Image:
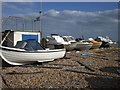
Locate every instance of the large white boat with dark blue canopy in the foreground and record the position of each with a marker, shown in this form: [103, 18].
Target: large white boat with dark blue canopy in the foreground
[29, 51]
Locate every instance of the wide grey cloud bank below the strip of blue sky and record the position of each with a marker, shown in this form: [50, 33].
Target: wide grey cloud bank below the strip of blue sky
[78, 23]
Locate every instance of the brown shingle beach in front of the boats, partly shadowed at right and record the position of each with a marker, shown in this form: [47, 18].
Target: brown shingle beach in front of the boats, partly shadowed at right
[105, 62]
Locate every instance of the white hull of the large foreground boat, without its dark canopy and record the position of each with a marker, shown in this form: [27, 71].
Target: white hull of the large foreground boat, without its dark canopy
[16, 57]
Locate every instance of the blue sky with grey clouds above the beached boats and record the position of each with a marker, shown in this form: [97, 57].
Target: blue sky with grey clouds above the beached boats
[89, 19]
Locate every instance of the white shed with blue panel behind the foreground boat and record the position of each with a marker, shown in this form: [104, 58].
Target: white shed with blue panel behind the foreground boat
[15, 36]
